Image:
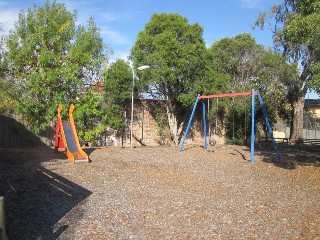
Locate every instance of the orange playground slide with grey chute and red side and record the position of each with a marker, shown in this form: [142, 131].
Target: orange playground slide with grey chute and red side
[66, 137]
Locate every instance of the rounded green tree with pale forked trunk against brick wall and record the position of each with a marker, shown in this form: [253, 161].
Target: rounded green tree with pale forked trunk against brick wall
[176, 53]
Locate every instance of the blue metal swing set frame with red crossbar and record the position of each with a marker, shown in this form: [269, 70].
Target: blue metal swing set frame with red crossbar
[253, 93]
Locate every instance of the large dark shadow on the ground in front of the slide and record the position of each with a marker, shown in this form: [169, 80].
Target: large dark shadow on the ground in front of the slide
[36, 198]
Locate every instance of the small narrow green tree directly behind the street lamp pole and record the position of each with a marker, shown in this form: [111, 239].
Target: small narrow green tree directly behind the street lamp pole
[118, 82]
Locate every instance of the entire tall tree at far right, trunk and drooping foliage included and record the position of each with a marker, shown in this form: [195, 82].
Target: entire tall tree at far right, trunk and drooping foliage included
[296, 34]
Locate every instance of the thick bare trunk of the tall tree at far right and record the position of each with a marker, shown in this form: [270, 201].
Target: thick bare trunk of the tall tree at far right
[296, 130]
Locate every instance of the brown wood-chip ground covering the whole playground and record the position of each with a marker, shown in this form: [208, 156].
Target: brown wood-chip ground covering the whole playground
[161, 193]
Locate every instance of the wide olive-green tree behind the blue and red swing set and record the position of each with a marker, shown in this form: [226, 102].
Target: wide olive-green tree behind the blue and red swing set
[250, 66]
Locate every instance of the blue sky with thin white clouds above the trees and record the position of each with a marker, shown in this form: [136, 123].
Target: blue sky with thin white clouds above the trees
[120, 21]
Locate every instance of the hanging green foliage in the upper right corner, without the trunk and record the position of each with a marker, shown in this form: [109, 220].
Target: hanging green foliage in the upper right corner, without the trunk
[302, 34]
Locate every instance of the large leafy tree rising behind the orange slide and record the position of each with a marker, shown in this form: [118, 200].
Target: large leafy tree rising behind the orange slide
[49, 59]
